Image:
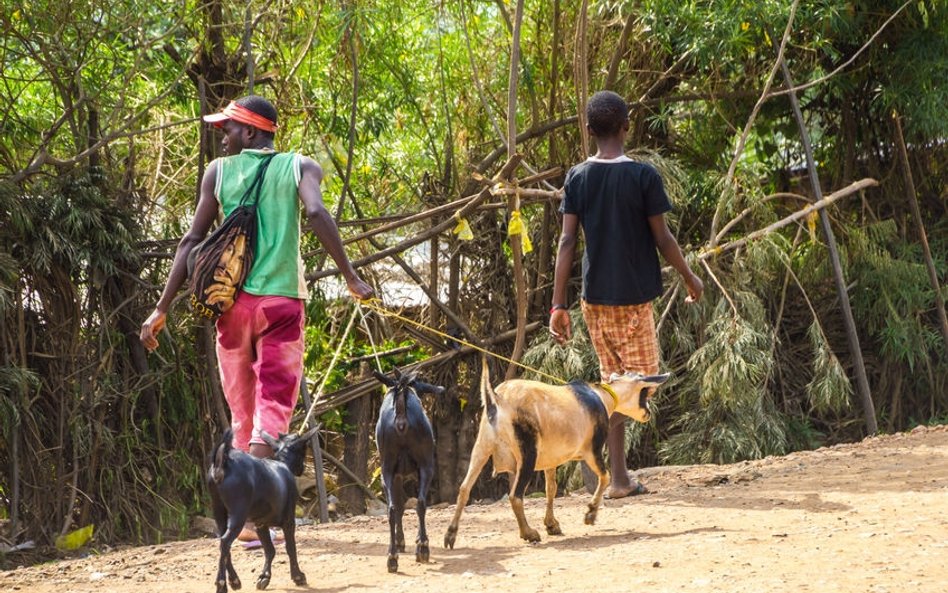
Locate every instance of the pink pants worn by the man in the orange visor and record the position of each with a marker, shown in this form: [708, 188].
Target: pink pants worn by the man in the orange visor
[260, 353]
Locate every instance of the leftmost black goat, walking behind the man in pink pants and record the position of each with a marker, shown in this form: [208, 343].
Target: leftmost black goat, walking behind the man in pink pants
[264, 491]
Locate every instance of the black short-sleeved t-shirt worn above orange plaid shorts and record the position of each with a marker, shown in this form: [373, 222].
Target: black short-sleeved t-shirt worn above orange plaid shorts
[614, 199]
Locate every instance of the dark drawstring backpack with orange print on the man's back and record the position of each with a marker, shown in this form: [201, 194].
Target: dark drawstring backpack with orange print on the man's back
[219, 265]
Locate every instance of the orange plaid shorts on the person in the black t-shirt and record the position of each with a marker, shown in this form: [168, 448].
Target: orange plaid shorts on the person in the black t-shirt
[624, 338]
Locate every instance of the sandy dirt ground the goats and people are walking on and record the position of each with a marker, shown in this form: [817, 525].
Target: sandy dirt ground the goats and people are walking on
[867, 517]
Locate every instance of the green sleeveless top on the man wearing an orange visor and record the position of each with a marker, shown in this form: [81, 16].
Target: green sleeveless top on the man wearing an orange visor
[277, 268]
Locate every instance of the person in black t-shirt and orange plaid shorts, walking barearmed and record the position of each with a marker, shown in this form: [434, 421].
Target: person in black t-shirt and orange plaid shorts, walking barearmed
[620, 205]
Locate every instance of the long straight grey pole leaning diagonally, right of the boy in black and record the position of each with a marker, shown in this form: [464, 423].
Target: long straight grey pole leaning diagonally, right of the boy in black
[862, 383]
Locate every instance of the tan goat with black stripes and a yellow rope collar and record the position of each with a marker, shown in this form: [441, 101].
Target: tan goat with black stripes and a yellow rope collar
[529, 426]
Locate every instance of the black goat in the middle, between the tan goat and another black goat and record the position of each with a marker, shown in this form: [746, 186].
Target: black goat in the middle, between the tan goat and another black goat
[406, 448]
